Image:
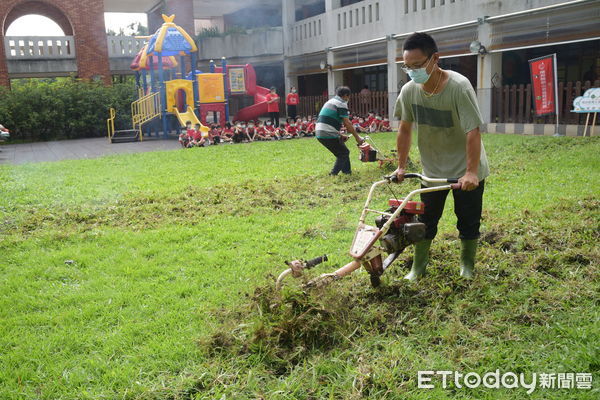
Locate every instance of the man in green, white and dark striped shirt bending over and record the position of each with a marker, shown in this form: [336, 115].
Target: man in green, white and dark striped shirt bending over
[333, 115]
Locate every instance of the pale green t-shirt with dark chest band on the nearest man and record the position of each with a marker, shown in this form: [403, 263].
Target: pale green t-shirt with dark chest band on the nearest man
[442, 122]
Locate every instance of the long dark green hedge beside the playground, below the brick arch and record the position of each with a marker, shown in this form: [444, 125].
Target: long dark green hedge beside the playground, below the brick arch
[37, 110]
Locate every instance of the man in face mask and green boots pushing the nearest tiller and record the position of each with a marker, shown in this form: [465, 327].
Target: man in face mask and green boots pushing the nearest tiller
[442, 106]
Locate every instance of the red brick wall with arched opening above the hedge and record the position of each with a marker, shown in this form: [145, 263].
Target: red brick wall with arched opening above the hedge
[86, 21]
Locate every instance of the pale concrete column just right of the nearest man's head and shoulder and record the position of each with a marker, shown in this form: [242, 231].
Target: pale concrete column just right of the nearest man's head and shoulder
[488, 66]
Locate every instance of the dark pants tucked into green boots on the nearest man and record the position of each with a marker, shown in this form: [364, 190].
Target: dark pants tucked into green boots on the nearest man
[467, 207]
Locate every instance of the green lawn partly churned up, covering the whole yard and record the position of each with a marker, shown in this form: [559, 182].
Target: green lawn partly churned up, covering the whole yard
[149, 276]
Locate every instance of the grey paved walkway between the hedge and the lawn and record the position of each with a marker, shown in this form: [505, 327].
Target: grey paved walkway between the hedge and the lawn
[77, 149]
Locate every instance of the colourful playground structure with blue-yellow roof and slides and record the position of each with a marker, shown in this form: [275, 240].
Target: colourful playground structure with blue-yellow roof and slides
[169, 94]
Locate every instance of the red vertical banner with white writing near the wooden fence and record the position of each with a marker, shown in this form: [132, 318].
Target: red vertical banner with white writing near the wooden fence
[542, 81]
